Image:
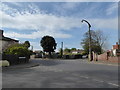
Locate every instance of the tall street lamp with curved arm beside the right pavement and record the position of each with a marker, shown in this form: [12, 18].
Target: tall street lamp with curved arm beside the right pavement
[90, 51]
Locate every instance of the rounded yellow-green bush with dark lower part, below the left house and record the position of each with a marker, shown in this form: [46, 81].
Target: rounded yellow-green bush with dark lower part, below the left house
[13, 53]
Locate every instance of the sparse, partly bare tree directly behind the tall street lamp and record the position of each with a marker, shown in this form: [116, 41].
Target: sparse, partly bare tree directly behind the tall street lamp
[97, 41]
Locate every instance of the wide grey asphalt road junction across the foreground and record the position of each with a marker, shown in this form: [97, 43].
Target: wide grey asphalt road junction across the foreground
[61, 74]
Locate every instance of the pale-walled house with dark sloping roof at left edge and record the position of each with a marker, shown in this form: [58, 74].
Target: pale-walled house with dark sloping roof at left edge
[5, 41]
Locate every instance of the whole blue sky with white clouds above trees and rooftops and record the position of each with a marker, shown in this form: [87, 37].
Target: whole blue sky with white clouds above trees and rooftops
[62, 20]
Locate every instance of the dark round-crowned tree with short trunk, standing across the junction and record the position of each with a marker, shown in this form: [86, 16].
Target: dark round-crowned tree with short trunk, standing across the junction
[48, 44]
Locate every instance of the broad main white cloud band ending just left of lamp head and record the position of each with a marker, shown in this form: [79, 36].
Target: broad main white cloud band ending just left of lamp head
[38, 21]
